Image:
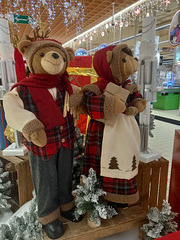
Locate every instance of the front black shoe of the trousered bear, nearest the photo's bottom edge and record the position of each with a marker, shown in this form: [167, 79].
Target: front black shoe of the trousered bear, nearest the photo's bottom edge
[54, 229]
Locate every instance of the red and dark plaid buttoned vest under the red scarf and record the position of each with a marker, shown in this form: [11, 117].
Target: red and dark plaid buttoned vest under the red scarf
[58, 136]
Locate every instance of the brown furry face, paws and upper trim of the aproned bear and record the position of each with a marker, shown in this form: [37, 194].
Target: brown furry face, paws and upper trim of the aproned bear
[122, 65]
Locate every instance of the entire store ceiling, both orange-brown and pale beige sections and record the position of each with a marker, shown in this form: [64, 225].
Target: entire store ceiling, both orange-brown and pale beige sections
[95, 12]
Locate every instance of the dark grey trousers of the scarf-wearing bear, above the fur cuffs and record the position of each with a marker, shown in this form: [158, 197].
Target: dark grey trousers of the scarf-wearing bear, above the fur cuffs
[52, 180]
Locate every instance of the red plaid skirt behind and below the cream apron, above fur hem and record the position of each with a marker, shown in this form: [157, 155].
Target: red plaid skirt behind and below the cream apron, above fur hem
[92, 160]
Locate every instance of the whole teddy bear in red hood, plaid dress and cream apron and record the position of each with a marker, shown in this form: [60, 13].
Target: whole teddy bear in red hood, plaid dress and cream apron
[113, 64]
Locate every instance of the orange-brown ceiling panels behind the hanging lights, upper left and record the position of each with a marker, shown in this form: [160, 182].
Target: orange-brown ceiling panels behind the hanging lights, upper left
[95, 12]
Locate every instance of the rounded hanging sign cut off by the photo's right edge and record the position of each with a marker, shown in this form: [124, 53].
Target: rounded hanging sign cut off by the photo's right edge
[174, 30]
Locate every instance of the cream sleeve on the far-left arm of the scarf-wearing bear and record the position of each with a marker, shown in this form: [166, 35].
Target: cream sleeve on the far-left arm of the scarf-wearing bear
[17, 117]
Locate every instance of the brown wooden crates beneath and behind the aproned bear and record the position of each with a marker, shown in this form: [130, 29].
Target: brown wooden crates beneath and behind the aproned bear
[152, 184]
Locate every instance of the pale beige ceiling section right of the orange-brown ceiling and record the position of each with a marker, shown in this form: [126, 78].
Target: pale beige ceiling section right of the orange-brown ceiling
[163, 18]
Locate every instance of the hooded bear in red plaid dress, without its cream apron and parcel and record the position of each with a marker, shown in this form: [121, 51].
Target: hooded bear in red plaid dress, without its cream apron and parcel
[112, 64]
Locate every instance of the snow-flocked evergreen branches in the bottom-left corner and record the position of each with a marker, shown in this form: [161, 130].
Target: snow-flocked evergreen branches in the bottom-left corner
[25, 227]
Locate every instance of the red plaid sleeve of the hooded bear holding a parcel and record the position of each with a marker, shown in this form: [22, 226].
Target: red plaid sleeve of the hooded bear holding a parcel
[94, 105]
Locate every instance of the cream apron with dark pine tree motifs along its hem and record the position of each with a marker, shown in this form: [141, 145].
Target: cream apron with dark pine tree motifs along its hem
[121, 148]
